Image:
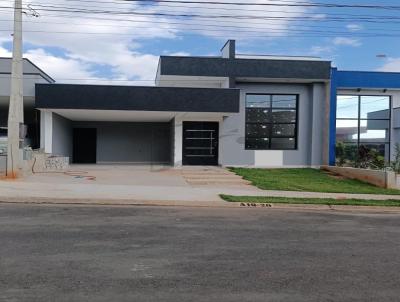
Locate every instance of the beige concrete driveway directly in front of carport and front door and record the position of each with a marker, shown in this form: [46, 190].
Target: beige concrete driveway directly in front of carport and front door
[141, 175]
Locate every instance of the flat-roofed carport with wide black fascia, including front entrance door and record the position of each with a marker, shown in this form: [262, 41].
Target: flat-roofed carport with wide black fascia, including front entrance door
[133, 125]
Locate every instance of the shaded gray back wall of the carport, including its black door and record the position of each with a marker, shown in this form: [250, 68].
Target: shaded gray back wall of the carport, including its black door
[125, 142]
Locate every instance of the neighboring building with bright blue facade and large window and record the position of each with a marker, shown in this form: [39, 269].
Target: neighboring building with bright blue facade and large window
[365, 111]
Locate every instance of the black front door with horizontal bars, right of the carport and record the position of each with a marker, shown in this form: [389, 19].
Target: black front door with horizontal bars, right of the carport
[200, 143]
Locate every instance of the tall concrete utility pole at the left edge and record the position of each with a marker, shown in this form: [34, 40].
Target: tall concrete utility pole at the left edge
[16, 106]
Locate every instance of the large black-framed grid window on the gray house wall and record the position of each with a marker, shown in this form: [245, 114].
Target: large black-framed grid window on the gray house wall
[271, 122]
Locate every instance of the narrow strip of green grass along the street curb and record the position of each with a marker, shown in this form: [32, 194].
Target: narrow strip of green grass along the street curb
[321, 201]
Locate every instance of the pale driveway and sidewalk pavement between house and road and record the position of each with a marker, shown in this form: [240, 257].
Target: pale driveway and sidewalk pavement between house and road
[145, 185]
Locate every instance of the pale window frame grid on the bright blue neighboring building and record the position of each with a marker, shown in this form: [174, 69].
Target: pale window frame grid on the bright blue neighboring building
[359, 142]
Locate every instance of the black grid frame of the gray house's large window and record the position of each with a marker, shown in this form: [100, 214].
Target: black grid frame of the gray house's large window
[270, 123]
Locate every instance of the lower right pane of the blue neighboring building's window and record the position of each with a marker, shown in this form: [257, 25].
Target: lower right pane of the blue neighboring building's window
[374, 130]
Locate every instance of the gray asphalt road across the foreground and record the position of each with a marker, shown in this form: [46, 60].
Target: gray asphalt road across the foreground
[98, 253]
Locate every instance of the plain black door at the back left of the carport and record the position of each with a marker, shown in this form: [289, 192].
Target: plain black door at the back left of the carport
[84, 145]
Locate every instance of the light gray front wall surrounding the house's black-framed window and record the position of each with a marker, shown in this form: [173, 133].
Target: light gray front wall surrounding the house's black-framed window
[232, 137]
